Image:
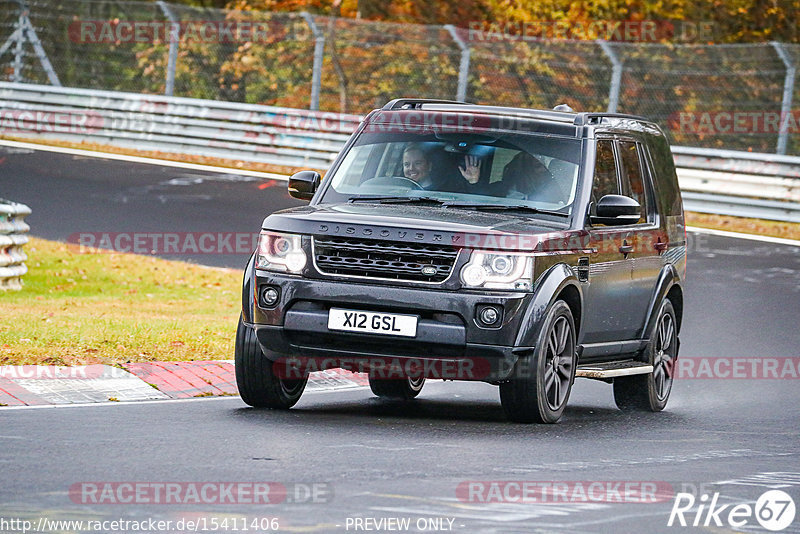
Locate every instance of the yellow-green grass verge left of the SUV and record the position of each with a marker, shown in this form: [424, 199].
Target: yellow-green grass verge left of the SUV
[78, 308]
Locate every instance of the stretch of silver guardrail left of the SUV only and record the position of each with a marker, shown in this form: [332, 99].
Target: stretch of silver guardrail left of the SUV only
[279, 136]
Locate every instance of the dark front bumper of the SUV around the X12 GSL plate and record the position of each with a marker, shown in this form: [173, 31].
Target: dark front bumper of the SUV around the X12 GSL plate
[447, 331]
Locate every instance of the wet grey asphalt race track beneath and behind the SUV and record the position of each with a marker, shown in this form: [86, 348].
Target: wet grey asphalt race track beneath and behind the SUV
[377, 459]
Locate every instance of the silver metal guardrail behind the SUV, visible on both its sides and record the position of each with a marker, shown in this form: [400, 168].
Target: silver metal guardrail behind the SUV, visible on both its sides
[726, 182]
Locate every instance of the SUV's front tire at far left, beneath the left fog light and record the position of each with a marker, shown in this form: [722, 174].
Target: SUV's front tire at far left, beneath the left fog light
[258, 385]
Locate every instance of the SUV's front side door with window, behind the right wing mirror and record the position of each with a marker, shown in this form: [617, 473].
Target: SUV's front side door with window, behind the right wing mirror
[607, 294]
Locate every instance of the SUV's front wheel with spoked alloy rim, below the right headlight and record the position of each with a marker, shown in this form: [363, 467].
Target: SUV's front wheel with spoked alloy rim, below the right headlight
[541, 395]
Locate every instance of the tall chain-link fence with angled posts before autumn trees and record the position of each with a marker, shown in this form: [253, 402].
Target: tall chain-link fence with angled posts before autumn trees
[739, 97]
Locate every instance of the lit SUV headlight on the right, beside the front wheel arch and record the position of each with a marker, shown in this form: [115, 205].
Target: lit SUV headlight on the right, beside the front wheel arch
[498, 270]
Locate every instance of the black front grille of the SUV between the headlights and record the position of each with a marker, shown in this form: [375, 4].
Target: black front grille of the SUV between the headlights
[383, 259]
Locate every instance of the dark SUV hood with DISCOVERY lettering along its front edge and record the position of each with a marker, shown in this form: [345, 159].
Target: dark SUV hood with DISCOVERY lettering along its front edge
[400, 222]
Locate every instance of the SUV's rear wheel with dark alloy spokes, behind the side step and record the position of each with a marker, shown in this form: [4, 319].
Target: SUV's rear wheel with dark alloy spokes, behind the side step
[650, 392]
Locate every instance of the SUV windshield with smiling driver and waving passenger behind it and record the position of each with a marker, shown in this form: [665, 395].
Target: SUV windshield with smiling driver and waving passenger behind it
[493, 168]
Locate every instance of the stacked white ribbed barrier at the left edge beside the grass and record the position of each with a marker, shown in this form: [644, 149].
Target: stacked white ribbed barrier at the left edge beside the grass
[12, 237]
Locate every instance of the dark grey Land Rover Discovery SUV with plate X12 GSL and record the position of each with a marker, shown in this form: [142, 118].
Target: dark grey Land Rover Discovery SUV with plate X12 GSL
[517, 247]
